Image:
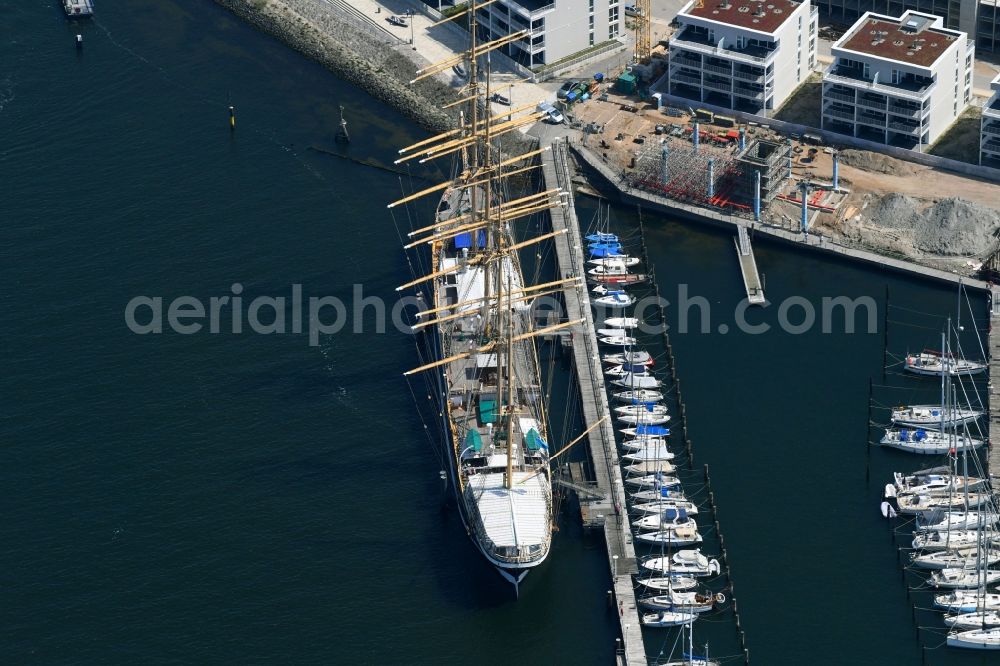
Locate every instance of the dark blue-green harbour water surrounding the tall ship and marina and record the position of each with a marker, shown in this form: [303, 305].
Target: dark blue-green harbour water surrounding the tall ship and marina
[245, 498]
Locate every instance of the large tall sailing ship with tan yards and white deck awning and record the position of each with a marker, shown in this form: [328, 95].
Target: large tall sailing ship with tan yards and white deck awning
[486, 369]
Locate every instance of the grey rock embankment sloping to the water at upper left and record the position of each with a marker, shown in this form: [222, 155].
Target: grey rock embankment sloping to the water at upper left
[316, 30]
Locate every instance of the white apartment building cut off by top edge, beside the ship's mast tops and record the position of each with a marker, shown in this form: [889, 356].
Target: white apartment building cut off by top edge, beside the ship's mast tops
[559, 28]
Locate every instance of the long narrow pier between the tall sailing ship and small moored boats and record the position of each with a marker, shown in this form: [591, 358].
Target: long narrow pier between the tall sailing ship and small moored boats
[603, 505]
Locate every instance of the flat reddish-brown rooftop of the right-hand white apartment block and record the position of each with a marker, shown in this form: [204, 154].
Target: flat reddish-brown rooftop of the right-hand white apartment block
[909, 39]
